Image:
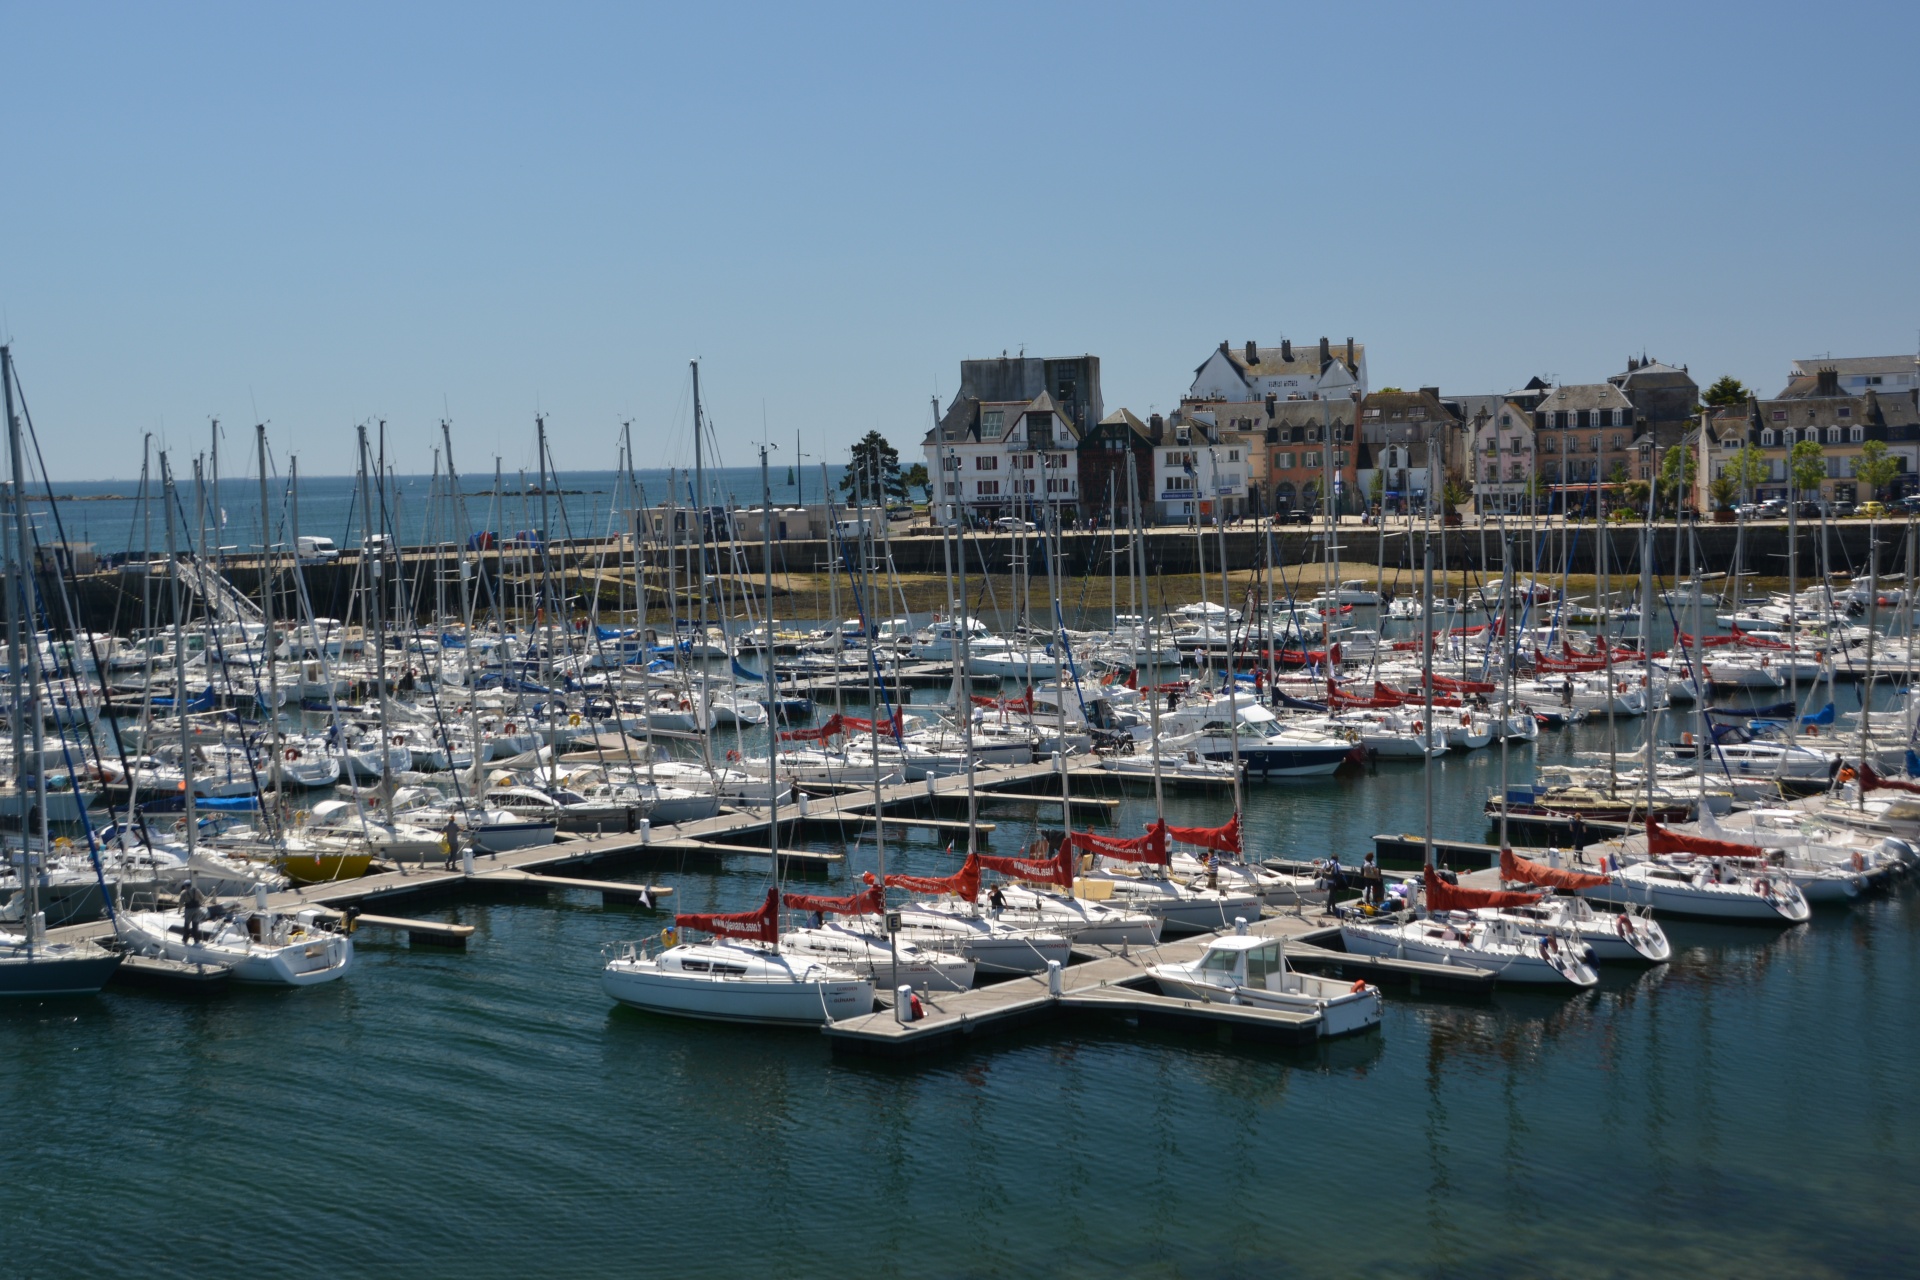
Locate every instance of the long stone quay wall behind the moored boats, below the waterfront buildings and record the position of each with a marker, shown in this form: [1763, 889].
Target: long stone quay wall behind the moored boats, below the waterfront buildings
[118, 600]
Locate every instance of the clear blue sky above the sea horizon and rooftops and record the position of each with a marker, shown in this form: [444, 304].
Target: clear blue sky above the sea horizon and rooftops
[331, 214]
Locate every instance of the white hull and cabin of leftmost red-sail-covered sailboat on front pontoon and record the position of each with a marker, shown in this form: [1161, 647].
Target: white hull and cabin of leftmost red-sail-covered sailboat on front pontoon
[734, 984]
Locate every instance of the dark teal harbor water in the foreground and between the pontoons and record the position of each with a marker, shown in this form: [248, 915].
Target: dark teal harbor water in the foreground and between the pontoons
[492, 1114]
